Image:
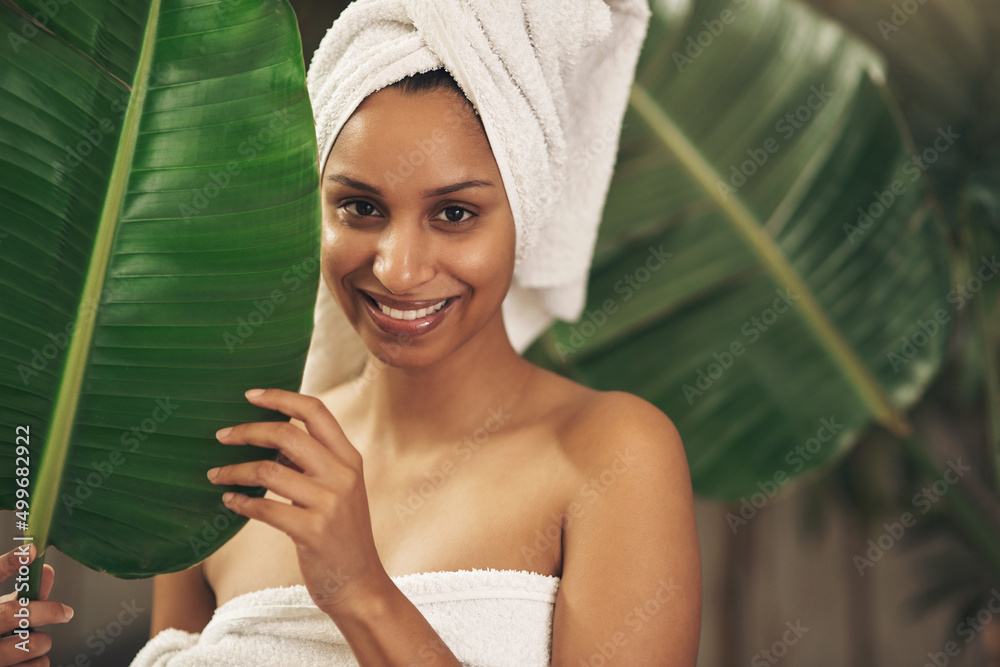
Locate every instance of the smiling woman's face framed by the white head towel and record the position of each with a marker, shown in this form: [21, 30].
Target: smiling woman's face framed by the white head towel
[415, 214]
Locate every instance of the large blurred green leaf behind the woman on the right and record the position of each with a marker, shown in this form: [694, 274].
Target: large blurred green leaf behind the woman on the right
[769, 270]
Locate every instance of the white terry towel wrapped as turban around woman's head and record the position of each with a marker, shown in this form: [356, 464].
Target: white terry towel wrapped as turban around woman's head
[550, 80]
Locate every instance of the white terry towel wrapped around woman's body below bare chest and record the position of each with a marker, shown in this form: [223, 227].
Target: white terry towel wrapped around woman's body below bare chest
[488, 618]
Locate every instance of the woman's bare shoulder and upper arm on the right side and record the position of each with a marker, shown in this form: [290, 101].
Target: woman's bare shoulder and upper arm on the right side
[631, 585]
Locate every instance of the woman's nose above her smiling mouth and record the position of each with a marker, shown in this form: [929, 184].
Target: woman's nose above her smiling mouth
[403, 260]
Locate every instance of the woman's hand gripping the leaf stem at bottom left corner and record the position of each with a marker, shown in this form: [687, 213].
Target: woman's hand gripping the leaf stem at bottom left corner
[40, 612]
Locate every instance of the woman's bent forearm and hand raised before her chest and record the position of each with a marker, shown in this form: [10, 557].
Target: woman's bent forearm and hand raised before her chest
[323, 507]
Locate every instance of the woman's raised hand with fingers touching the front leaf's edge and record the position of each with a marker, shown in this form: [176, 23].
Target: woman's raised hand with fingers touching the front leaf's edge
[320, 472]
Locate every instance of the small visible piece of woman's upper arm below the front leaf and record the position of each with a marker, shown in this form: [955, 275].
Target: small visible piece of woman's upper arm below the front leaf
[181, 600]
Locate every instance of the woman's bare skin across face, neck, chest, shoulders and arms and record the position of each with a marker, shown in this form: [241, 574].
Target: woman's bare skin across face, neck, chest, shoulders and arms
[570, 481]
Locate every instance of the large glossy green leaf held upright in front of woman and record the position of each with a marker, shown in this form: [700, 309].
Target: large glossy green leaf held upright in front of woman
[160, 213]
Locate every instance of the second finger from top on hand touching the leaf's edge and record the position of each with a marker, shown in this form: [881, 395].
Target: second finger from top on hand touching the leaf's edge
[298, 446]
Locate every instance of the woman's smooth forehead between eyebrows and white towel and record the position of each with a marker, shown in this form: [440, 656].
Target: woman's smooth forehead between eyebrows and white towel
[429, 136]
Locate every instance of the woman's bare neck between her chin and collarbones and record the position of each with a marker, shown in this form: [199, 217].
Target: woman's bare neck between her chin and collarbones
[420, 409]
